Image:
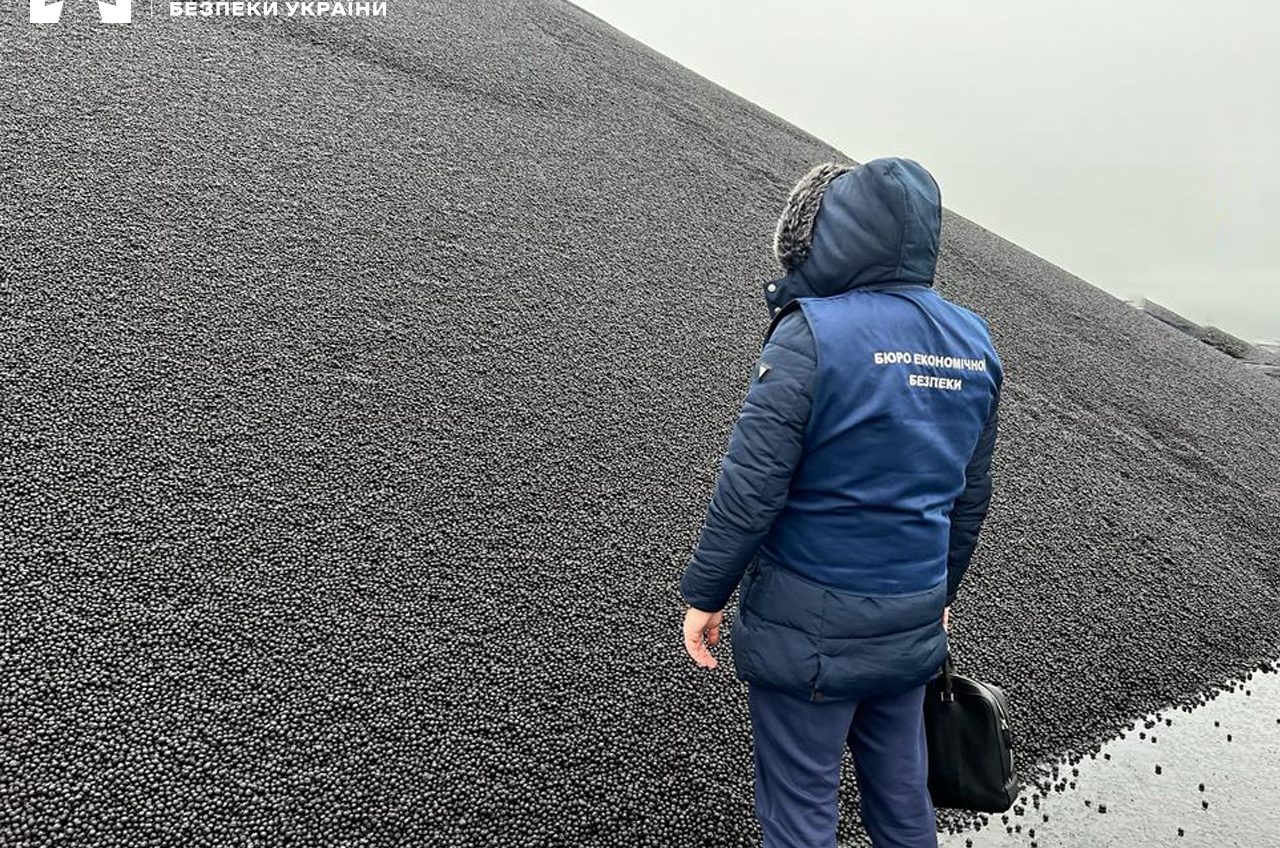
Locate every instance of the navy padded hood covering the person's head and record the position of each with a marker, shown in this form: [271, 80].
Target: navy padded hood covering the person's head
[876, 224]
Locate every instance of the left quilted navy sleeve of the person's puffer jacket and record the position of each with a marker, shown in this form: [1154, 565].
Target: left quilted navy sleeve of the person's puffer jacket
[764, 453]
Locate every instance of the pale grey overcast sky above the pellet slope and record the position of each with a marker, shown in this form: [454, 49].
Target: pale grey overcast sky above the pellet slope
[1135, 143]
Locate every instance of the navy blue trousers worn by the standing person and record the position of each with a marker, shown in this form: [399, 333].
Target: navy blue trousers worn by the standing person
[798, 755]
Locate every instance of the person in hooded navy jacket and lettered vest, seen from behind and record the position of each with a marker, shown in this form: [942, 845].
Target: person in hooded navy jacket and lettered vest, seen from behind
[849, 504]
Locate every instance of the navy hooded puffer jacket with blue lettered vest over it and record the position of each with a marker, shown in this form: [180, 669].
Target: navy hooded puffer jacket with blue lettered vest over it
[858, 475]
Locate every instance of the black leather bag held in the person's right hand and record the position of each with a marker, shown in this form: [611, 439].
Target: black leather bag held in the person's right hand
[971, 744]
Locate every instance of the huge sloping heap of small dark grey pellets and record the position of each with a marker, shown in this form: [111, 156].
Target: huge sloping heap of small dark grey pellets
[364, 385]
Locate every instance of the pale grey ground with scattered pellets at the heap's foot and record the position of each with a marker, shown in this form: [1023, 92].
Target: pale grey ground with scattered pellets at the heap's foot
[1205, 778]
